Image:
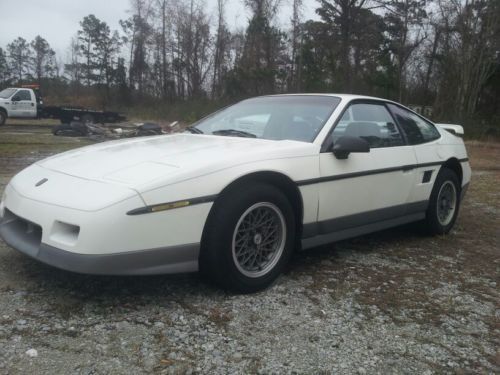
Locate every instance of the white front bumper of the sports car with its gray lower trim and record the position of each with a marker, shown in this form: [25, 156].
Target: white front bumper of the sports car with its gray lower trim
[108, 241]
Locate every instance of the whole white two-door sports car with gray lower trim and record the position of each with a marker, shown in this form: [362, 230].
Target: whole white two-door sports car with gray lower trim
[240, 190]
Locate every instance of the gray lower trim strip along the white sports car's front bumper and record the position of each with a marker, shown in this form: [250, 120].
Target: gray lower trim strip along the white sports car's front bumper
[174, 259]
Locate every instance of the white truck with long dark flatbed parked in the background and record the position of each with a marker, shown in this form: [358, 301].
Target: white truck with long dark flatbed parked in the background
[25, 102]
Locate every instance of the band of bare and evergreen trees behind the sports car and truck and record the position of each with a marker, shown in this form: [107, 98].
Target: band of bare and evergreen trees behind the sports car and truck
[180, 54]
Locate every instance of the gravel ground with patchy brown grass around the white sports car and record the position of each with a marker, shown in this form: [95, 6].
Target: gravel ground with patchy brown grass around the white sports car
[391, 302]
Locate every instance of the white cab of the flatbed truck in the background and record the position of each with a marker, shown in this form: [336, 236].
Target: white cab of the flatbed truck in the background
[18, 103]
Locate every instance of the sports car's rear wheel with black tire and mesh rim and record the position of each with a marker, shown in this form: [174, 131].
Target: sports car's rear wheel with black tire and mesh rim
[444, 202]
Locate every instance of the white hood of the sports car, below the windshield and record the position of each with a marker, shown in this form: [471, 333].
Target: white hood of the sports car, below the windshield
[137, 162]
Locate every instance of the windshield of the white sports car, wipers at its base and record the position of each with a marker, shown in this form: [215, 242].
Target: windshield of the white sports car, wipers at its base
[294, 117]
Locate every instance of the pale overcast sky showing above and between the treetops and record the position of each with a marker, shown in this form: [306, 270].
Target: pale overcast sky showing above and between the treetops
[58, 20]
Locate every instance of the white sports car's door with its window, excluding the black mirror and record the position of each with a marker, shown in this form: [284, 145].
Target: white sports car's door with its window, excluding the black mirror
[366, 188]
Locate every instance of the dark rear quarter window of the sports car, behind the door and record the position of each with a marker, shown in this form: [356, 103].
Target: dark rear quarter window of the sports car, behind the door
[416, 128]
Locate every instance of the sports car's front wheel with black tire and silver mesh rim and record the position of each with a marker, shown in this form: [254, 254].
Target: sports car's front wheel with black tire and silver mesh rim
[249, 238]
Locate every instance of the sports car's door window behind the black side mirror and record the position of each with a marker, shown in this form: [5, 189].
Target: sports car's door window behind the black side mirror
[372, 122]
